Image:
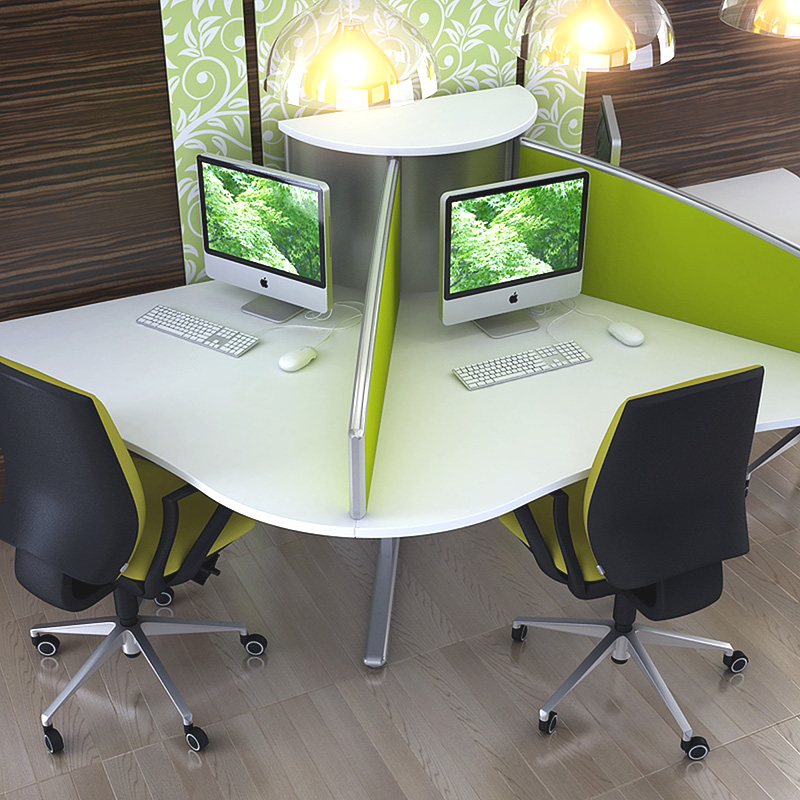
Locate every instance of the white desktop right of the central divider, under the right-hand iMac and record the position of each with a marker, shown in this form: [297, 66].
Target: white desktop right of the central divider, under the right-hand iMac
[448, 457]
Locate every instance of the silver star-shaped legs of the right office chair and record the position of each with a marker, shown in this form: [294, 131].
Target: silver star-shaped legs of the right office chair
[621, 645]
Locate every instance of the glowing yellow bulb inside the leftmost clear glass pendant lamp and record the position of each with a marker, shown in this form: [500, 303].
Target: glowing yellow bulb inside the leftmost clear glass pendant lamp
[351, 71]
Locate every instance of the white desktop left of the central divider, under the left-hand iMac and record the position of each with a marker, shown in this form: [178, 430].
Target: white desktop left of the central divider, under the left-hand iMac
[268, 444]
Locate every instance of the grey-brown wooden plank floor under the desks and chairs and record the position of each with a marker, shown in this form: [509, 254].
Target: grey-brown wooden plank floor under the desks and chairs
[452, 716]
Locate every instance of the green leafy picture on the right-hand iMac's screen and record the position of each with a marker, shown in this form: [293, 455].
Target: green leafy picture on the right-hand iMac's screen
[516, 234]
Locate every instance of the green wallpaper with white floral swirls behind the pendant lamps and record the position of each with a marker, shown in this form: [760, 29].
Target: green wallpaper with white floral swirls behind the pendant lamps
[206, 73]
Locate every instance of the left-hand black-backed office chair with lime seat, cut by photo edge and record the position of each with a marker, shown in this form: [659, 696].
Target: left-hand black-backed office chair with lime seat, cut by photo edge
[88, 520]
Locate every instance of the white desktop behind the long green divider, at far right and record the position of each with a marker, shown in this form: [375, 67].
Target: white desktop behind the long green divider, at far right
[770, 200]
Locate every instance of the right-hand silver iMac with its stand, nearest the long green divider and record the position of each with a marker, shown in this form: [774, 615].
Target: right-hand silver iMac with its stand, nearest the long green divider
[510, 246]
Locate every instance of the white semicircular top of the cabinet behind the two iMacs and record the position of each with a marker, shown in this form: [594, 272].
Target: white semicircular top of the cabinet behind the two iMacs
[439, 125]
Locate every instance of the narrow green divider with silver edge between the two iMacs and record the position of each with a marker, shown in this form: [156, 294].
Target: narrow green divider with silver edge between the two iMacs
[381, 304]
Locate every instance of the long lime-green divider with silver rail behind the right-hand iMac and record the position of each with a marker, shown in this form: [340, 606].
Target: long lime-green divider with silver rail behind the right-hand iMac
[652, 247]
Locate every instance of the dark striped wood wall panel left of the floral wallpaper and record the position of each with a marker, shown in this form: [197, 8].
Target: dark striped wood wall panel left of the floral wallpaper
[88, 203]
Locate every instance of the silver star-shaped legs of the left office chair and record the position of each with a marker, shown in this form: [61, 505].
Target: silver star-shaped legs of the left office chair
[132, 639]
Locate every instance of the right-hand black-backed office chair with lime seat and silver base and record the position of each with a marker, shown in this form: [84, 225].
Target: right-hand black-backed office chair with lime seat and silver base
[663, 506]
